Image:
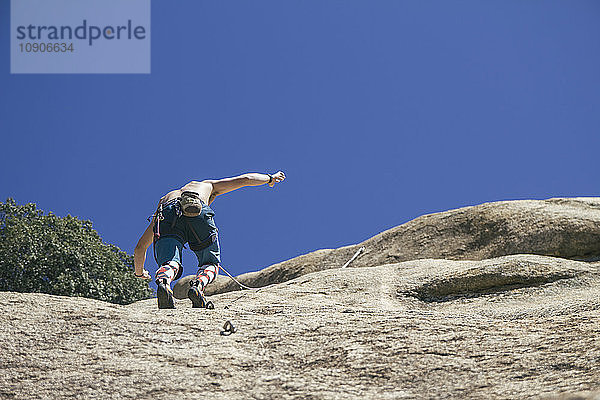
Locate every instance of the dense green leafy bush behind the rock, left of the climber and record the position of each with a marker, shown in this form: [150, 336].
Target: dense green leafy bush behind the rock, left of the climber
[62, 256]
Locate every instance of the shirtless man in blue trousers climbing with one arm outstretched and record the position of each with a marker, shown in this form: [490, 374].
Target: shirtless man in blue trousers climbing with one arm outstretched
[184, 216]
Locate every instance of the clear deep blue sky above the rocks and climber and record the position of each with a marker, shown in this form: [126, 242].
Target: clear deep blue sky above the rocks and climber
[378, 112]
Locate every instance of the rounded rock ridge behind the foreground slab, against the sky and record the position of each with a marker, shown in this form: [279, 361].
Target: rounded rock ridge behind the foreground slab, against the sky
[567, 228]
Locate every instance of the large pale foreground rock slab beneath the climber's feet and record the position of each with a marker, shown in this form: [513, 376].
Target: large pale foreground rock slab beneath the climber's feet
[514, 327]
